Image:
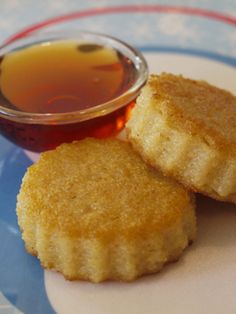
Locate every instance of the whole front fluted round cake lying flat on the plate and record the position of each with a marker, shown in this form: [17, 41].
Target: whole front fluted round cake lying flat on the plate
[93, 210]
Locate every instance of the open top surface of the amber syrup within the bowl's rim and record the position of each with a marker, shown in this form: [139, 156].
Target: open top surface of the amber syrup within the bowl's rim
[64, 76]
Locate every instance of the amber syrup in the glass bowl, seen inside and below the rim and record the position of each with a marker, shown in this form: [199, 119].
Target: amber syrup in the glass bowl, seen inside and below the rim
[61, 77]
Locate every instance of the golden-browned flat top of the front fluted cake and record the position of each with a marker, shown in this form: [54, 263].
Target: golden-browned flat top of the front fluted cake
[100, 188]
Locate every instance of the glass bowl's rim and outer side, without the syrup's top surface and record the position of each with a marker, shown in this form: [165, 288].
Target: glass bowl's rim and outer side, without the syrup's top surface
[37, 131]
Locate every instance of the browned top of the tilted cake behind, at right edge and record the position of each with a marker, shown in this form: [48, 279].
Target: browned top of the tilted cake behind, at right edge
[197, 107]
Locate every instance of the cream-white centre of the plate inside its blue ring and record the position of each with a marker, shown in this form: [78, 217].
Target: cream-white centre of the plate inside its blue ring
[204, 279]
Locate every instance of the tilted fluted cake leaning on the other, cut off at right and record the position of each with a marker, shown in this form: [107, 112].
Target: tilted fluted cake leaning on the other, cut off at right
[187, 129]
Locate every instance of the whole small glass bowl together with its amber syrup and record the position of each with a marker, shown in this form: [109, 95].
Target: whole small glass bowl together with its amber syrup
[63, 86]
